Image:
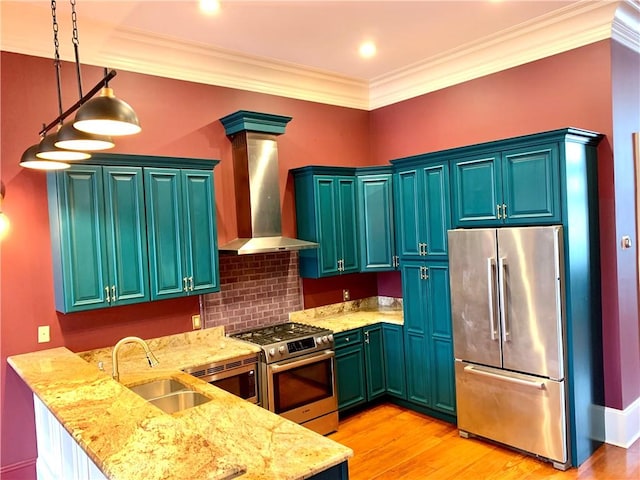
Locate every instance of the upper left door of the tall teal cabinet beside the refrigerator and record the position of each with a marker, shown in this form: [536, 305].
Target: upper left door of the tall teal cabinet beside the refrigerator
[407, 208]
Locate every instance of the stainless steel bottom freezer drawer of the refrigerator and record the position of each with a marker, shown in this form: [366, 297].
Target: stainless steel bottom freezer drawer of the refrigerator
[522, 411]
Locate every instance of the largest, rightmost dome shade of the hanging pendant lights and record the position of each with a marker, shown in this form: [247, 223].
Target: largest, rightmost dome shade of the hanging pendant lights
[107, 115]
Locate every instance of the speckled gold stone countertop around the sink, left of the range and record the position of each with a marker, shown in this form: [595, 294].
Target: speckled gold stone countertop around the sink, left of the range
[129, 438]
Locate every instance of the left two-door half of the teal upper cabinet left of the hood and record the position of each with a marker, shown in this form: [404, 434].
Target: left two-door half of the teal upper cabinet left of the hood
[98, 236]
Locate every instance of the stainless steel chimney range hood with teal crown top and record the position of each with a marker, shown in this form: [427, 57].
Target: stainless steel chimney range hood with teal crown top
[256, 179]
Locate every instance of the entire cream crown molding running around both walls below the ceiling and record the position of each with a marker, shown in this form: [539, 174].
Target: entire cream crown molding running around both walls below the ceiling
[571, 27]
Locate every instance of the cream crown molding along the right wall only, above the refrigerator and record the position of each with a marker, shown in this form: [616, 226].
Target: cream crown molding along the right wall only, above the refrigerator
[571, 27]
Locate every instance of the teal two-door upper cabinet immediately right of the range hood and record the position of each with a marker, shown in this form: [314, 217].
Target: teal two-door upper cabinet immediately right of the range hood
[326, 213]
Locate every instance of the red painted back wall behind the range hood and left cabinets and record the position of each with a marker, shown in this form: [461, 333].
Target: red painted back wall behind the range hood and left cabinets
[178, 118]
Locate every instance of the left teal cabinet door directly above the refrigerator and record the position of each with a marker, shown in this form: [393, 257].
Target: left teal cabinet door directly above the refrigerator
[477, 191]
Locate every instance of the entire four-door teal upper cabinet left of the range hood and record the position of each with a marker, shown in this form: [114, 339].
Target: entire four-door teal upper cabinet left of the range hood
[131, 233]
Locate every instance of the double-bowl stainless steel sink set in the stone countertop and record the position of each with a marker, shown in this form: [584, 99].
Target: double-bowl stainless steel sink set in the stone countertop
[169, 395]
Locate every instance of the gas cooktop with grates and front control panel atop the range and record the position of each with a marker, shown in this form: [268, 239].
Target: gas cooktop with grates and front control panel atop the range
[287, 340]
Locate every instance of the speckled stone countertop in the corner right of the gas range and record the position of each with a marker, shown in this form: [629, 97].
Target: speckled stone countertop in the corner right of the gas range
[341, 317]
